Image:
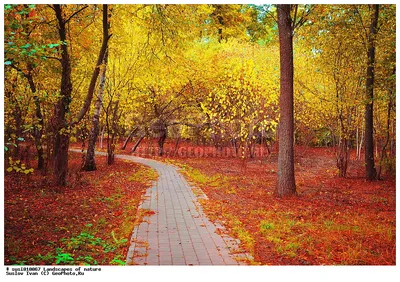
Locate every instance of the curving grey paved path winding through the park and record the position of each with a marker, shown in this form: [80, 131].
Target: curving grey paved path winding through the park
[177, 232]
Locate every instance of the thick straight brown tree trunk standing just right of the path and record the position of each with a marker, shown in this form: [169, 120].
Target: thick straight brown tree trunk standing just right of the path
[286, 181]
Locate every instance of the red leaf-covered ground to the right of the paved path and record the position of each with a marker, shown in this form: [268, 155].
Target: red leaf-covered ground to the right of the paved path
[332, 220]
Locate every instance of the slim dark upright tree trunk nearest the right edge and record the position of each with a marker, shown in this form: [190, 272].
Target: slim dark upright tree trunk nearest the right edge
[369, 107]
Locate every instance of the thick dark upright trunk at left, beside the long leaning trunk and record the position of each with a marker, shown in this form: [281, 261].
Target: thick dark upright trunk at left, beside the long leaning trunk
[61, 142]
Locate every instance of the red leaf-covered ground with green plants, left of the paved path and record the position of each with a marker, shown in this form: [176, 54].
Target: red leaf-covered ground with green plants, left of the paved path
[90, 220]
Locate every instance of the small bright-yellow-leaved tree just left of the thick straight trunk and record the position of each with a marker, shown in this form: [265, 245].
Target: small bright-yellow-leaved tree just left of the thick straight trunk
[239, 110]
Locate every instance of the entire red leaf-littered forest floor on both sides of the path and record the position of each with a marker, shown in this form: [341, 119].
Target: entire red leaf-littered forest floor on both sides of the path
[333, 221]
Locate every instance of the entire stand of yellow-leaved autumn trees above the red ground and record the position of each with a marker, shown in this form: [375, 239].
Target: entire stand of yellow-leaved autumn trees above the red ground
[209, 73]
